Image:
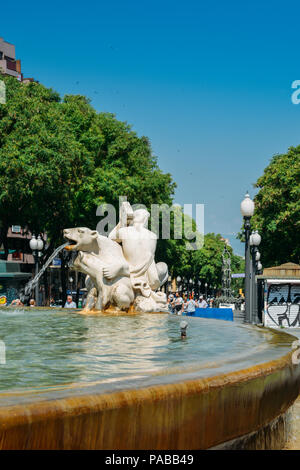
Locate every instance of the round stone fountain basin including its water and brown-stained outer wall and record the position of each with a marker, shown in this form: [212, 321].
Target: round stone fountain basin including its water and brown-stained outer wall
[225, 385]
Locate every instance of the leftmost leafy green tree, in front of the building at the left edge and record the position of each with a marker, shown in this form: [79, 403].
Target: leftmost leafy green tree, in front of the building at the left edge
[40, 160]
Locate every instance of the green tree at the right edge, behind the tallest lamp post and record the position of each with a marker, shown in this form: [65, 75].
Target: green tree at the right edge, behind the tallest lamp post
[277, 209]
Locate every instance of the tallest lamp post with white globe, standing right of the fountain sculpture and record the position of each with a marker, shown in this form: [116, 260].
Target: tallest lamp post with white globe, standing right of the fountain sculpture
[247, 210]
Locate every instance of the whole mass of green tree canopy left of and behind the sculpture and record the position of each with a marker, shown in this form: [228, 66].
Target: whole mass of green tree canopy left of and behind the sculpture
[59, 159]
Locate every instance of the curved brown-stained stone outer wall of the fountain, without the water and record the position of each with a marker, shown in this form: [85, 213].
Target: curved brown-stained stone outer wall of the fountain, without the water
[187, 414]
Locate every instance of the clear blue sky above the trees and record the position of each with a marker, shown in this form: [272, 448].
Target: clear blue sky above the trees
[208, 82]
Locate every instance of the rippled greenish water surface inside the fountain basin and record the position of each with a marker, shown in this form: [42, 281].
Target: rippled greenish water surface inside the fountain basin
[52, 347]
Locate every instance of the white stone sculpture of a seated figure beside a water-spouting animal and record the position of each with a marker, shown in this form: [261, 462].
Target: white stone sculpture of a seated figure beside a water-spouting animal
[121, 269]
